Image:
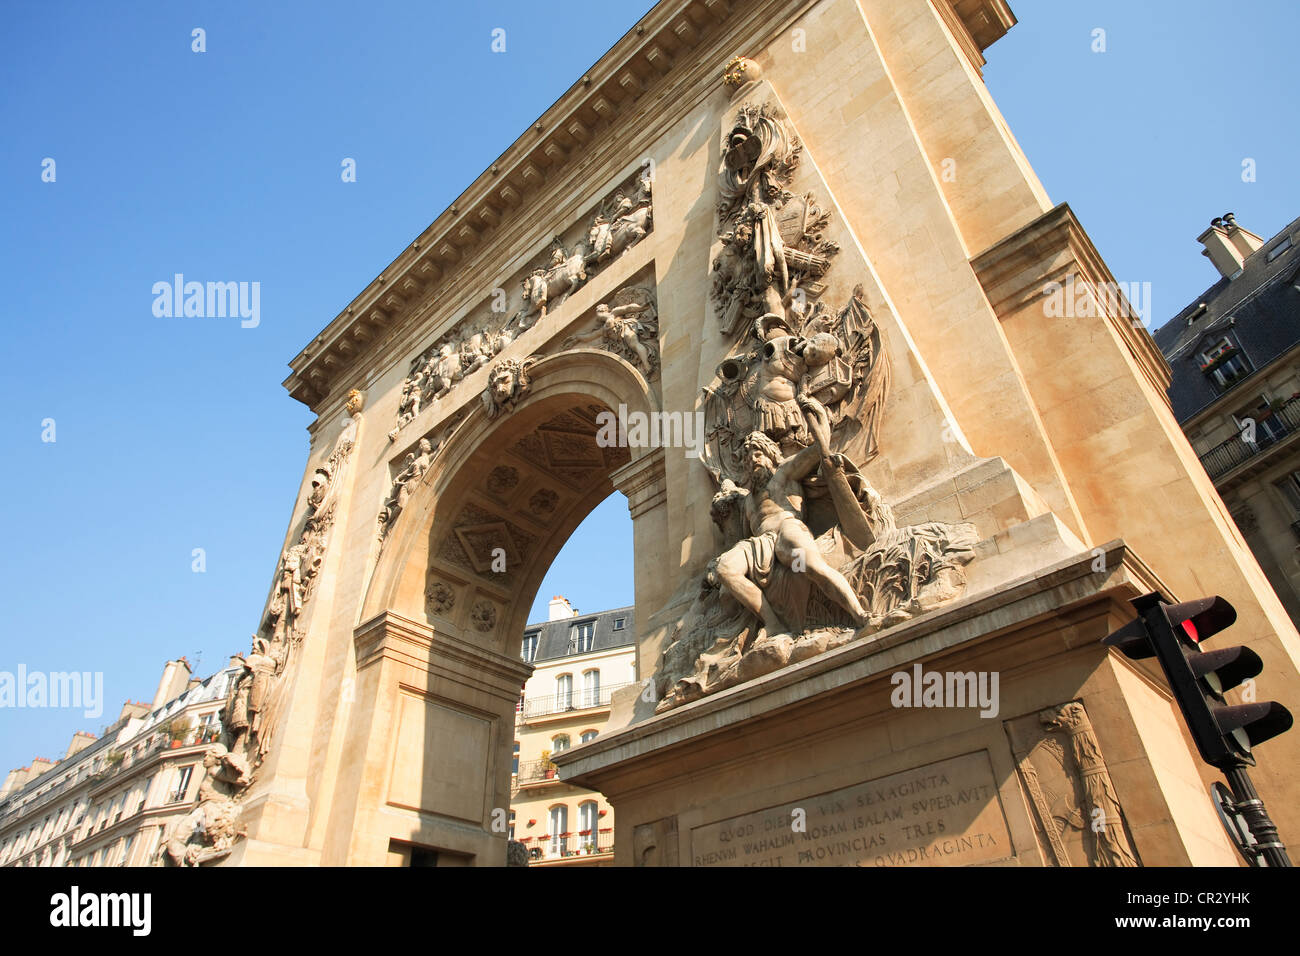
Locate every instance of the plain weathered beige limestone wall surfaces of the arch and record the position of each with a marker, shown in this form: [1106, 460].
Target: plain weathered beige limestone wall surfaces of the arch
[388, 698]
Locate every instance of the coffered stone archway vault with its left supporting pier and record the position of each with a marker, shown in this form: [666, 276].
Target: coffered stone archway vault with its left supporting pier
[437, 647]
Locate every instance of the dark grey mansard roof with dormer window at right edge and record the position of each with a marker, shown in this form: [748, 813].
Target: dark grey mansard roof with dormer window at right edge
[1260, 310]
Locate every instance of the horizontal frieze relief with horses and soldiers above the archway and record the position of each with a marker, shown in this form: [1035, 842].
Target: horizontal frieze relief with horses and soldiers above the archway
[621, 222]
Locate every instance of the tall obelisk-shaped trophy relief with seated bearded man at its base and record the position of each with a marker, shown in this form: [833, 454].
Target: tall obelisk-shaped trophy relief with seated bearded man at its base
[812, 555]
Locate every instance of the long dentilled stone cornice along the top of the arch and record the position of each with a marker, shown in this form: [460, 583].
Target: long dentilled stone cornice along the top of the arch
[618, 110]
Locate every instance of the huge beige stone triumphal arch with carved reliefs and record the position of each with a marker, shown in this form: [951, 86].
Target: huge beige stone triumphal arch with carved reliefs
[775, 272]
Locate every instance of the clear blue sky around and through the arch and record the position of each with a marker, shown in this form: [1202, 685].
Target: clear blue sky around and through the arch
[175, 435]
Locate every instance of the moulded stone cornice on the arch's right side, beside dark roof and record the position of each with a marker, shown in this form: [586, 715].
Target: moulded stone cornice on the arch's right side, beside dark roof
[1047, 250]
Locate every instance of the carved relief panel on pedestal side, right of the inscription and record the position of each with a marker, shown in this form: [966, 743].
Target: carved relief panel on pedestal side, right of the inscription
[1071, 790]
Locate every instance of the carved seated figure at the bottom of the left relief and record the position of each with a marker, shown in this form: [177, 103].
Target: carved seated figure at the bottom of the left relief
[209, 832]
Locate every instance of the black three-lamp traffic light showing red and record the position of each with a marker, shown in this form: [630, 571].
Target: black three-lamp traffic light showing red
[1173, 634]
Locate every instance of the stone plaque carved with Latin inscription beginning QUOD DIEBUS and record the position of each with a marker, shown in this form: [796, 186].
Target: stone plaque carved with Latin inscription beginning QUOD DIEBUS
[939, 815]
